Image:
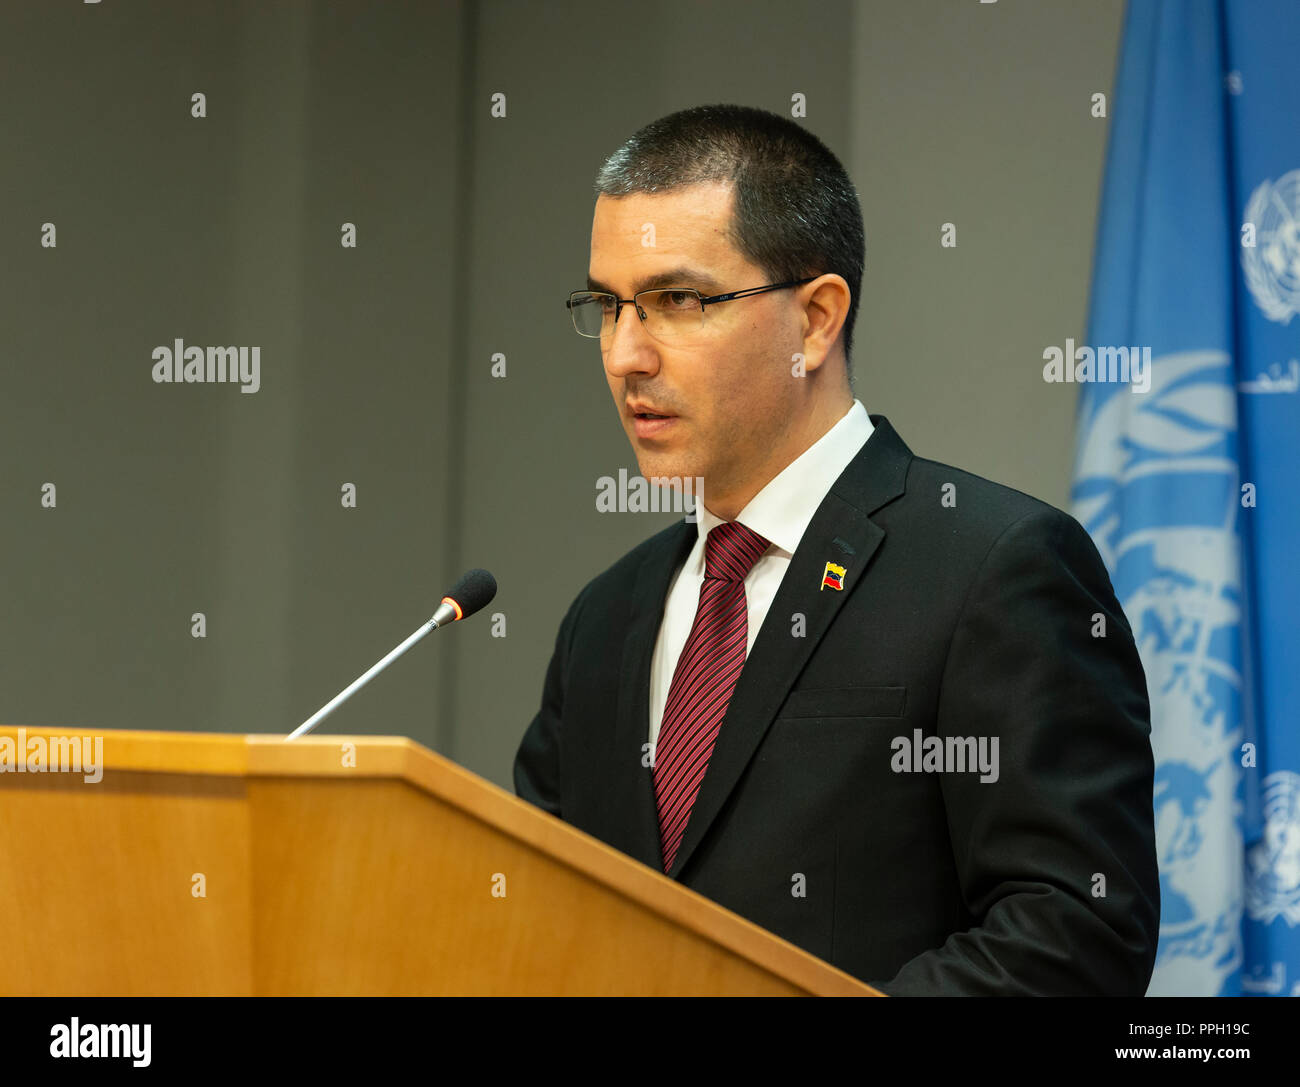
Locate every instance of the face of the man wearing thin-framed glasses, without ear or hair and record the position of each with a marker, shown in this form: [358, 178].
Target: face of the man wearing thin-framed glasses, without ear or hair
[731, 395]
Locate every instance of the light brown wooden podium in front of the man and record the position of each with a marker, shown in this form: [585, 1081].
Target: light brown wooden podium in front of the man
[207, 865]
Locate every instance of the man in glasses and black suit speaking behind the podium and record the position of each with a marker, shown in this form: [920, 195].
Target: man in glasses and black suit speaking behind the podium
[881, 707]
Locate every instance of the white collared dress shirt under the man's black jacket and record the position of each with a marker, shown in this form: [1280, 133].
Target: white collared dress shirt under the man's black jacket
[779, 513]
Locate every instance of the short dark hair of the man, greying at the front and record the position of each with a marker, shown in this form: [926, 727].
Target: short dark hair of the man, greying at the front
[796, 211]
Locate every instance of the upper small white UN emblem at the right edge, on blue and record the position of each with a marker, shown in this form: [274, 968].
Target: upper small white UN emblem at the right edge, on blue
[1272, 266]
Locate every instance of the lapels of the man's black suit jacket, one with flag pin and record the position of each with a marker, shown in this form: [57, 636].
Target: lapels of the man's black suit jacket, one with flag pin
[840, 532]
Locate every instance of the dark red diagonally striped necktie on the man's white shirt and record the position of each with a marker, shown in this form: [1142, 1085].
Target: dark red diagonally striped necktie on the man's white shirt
[705, 678]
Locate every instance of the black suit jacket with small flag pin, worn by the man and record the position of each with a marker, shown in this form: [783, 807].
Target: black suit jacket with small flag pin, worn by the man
[974, 617]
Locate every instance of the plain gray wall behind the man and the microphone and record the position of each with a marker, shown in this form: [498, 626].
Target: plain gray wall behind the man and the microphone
[376, 361]
